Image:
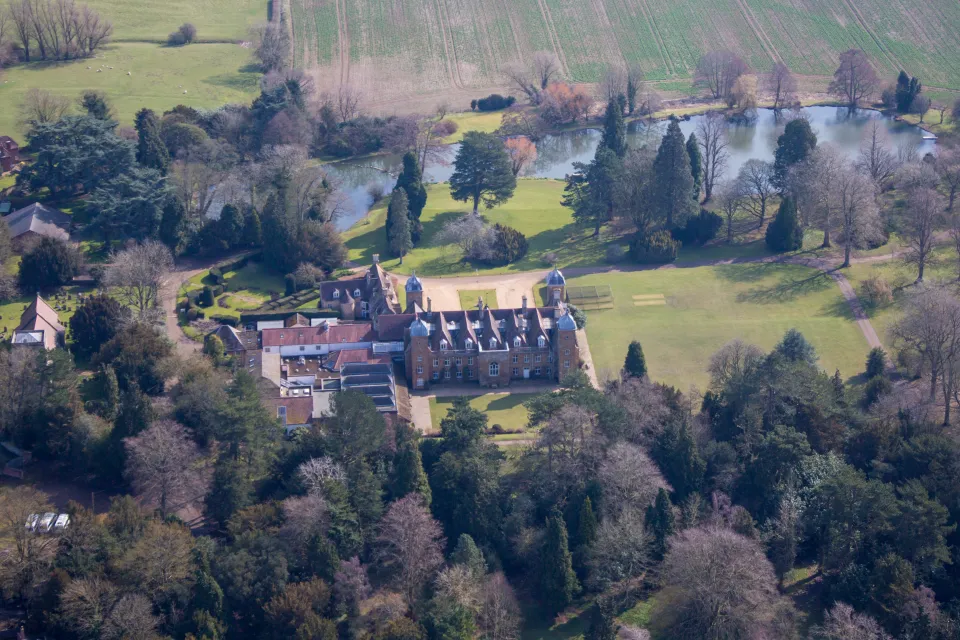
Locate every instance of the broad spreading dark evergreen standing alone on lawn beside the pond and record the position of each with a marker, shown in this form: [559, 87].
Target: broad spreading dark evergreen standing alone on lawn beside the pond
[482, 171]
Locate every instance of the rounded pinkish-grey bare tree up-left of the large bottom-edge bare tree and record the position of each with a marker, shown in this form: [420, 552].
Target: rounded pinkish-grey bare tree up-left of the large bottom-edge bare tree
[629, 479]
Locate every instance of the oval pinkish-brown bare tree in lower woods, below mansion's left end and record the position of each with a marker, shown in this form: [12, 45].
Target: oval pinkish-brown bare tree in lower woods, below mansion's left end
[409, 546]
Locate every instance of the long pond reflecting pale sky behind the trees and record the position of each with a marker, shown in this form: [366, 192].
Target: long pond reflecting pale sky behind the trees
[556, 153]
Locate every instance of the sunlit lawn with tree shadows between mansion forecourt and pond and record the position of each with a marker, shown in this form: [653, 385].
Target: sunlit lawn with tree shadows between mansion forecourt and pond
[534, 210]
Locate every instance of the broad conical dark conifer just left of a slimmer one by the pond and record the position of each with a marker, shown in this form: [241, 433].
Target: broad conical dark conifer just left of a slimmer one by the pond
[673, 180]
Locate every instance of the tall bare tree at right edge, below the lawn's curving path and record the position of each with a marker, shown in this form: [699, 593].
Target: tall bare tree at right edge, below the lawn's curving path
[931, 329]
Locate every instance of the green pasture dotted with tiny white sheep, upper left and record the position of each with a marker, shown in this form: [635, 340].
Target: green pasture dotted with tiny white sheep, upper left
[211, 74]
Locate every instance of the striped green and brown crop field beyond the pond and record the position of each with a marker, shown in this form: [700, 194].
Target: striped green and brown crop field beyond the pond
[405, 47]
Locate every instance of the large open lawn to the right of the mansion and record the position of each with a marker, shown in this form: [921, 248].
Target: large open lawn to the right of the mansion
[706, 307]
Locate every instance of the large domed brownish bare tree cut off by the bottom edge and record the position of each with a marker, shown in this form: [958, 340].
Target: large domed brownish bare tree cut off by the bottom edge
[709, 571]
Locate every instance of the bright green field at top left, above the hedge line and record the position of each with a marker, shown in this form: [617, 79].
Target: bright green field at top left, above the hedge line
[214, 19]
